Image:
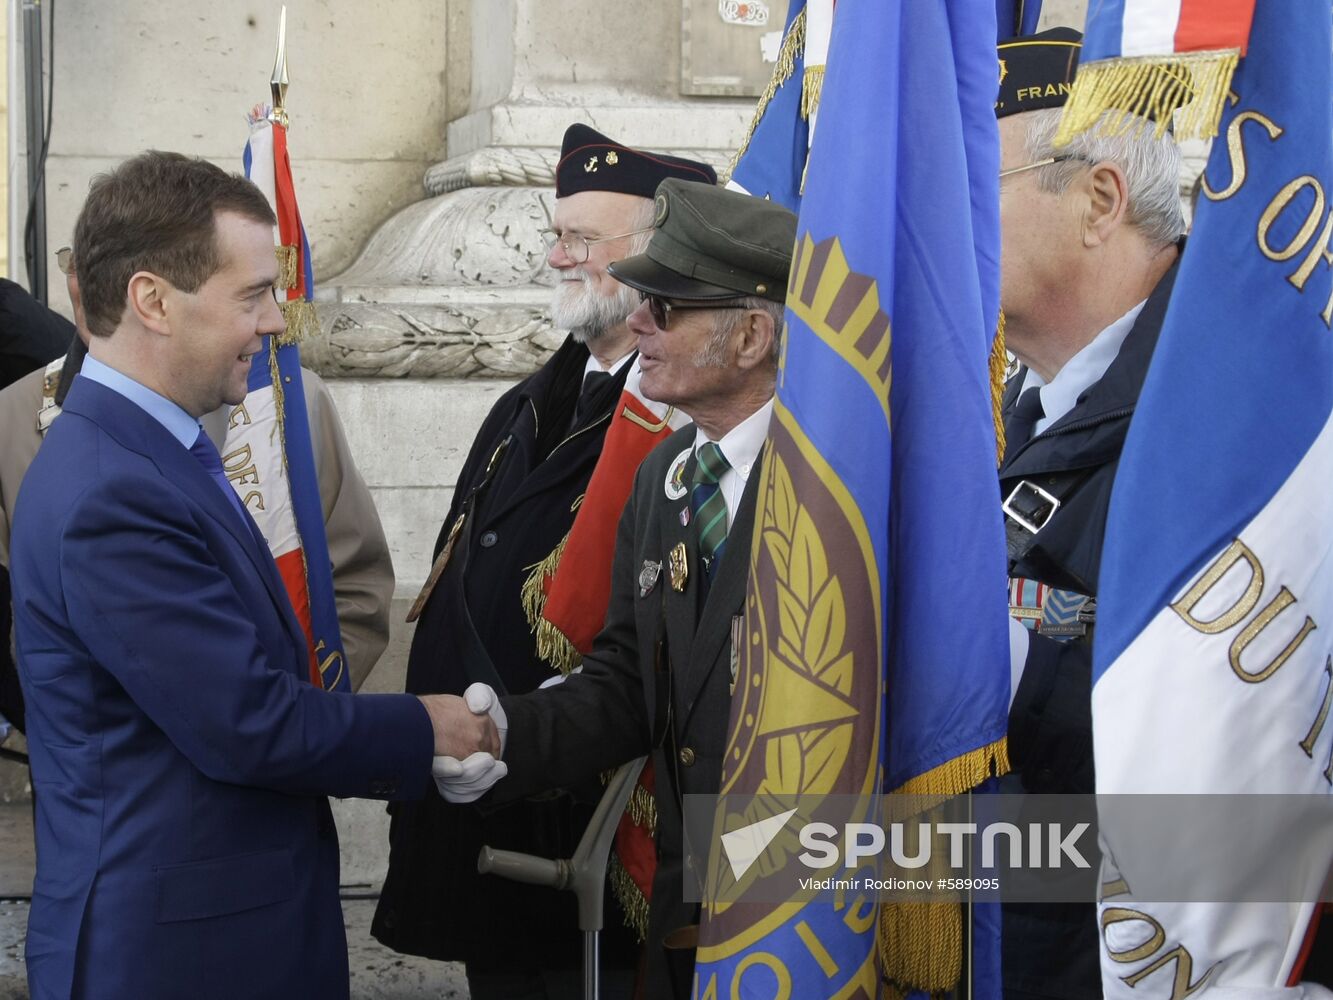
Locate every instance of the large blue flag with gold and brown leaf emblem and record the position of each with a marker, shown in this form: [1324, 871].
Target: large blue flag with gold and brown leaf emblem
[878, 655]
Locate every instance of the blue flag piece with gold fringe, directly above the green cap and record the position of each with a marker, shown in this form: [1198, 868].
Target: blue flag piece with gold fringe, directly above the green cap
[774, 162]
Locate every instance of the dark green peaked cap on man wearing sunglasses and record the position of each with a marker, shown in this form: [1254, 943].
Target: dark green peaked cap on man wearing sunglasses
[711, 243]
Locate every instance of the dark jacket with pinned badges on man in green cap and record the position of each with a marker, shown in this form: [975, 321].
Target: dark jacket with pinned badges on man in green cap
[658, 681]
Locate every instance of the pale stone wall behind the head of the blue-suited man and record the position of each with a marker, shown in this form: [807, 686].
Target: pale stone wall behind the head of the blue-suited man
[369, 102]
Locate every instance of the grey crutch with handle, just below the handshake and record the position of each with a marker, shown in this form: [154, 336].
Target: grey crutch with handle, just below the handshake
[585, 874]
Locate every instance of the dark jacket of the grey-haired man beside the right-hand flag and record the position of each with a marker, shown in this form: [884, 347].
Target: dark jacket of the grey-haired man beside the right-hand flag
[1052, 950]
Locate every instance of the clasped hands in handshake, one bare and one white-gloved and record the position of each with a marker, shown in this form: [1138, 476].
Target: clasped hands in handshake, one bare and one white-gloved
[470, 737]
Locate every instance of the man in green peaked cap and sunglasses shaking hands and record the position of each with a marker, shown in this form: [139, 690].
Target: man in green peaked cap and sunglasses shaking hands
[658, 682]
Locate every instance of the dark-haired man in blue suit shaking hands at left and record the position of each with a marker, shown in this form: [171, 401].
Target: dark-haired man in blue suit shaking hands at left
[181, 755]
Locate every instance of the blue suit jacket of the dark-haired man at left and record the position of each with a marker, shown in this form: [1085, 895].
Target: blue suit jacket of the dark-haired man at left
[182, 761]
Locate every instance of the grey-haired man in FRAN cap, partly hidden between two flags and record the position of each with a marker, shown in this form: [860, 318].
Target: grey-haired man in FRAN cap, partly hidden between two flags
[1091, 239]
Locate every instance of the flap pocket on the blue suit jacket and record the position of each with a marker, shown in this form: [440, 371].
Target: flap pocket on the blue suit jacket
[223, 886]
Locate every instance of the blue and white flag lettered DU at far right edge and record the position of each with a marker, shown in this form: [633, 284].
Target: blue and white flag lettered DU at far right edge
[1215, 647]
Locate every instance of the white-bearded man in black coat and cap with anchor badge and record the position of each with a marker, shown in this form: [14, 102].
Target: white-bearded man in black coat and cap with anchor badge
[514, 505]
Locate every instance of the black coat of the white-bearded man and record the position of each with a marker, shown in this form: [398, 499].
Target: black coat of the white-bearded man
[526, 471]
